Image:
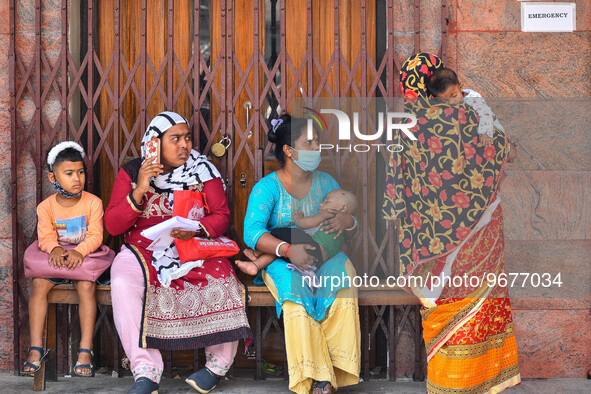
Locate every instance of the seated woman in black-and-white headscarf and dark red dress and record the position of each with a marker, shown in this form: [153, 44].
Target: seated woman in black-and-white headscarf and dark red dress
[159, 303]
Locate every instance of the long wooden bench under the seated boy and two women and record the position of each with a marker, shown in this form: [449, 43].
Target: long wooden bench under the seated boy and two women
[259, 297]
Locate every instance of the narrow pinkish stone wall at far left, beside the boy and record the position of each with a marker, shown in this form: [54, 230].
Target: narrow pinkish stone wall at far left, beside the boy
[25, 49]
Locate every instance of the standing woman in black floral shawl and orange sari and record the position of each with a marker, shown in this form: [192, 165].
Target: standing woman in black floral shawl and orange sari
[442, 189]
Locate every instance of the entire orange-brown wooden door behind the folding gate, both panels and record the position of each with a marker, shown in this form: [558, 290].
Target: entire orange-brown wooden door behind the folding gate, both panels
[323, 52]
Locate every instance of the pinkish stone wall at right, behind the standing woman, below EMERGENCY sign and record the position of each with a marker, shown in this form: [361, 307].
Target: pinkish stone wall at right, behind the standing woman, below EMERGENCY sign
[547, 199]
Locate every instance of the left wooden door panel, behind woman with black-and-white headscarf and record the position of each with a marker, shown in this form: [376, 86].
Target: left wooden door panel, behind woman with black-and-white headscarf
[150, 47]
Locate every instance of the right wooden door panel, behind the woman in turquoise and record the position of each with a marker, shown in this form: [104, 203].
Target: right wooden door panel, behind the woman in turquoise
[324, 52]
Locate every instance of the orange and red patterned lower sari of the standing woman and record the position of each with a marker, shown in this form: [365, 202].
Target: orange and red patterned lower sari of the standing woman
[468, 330]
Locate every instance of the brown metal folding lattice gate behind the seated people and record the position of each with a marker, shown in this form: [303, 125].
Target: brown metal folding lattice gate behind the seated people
[228, 66]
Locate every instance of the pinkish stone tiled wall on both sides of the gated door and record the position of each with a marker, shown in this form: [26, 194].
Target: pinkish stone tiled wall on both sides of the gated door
[546, 200]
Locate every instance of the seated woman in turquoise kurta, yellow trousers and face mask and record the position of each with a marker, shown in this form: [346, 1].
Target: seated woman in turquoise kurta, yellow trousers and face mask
[322, 333]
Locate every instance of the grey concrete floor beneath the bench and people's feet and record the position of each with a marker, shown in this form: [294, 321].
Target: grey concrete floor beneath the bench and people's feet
[107, 384]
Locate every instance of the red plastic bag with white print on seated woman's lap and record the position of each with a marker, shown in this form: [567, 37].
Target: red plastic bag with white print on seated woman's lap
[192, 205]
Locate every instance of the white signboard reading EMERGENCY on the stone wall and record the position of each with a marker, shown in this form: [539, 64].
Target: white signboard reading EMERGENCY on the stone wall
[548, 17]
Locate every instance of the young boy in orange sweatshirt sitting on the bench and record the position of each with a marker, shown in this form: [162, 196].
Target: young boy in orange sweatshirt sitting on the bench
[69, 217]
